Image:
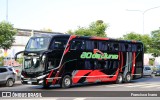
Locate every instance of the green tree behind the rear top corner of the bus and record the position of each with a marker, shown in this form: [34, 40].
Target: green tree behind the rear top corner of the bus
[145, 39]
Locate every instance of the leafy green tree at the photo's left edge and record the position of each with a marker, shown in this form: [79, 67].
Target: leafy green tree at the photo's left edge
[6, 35]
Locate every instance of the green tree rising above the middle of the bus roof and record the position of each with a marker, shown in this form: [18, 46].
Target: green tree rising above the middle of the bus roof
[97, 28]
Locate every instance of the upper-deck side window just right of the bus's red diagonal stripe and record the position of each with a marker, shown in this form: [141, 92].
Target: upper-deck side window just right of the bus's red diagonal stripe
[76, 45]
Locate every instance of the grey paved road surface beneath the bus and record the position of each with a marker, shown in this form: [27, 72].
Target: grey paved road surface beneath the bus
[144, 84]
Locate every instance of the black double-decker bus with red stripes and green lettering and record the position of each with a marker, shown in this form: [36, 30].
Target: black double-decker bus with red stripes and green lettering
[50, 59]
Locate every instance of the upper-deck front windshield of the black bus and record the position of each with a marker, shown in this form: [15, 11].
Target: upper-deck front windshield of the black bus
[38, 43]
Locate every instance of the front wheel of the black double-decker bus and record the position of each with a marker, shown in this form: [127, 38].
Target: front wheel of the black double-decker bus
[66, 81]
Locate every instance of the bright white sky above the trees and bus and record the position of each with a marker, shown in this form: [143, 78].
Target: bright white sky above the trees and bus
[64, 15]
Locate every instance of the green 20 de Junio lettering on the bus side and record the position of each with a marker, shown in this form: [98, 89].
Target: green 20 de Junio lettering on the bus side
[90, 55]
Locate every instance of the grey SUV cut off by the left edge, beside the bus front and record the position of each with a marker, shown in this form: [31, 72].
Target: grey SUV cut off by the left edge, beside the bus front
[7, 75]
